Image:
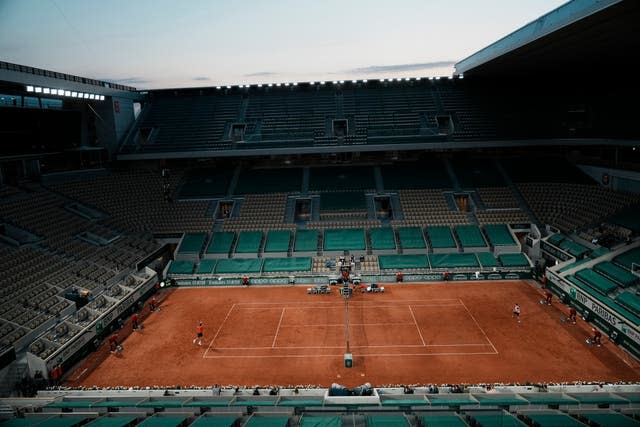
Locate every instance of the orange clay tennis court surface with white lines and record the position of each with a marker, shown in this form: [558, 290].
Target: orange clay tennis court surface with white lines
[431, 333]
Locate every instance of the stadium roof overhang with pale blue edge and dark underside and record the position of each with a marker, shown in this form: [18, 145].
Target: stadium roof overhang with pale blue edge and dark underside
[585, 37]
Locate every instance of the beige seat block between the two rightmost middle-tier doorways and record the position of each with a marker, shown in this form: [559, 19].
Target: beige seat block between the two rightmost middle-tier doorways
[422, 207]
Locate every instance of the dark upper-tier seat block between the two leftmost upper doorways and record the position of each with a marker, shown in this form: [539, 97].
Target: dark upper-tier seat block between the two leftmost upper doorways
[188, 122]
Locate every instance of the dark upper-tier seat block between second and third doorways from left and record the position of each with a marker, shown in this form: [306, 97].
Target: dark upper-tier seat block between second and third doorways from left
[289, 115]
